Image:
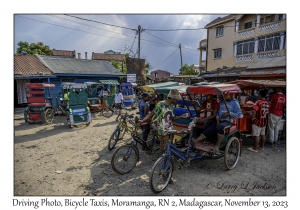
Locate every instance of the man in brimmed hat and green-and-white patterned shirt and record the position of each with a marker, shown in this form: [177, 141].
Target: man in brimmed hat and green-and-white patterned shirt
[162, 109]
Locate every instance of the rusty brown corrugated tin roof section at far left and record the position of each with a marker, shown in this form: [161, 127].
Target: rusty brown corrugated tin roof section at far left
[29, 65]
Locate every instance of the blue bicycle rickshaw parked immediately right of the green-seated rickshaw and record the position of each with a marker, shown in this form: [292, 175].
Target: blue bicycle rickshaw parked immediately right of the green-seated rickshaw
[94, 101]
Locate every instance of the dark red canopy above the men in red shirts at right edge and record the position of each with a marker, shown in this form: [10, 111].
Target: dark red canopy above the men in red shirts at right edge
[257, 84]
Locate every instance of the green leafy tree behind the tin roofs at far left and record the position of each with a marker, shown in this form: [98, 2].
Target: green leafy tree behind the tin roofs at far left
[34, 48]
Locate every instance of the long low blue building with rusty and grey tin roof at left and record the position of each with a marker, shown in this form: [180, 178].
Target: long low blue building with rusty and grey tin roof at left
[58, 69]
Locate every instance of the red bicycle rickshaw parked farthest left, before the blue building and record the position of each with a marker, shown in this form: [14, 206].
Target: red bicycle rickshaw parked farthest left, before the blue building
[39, 96]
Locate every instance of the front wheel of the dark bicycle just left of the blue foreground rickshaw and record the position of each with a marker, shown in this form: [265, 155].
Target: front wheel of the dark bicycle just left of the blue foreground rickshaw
[124, 159]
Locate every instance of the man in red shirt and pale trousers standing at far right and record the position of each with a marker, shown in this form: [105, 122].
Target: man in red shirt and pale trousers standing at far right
[277, 103]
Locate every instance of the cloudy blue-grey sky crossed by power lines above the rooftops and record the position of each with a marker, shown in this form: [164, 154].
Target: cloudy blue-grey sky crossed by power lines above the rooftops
[118, 32]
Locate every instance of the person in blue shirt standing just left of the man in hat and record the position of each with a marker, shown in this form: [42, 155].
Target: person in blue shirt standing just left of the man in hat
[144, 111]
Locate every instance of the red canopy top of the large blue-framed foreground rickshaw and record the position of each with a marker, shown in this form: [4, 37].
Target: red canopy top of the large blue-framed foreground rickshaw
[216, 89]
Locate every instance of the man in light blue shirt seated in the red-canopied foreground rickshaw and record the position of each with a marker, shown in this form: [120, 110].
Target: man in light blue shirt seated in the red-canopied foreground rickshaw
[223, 121]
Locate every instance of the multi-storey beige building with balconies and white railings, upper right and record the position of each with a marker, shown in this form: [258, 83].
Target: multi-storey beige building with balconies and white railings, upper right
[243, 40]
